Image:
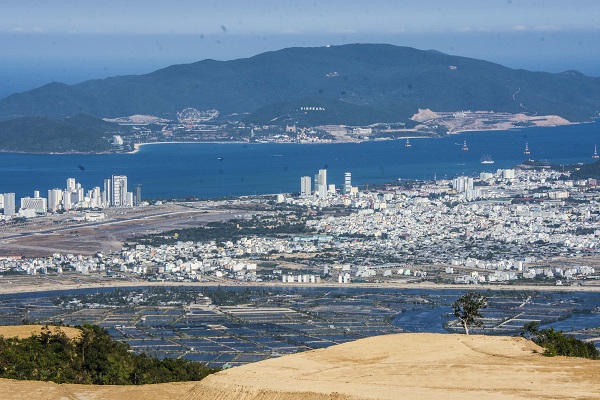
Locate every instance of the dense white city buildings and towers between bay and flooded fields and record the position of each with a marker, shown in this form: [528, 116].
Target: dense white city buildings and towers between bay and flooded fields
[503, 227]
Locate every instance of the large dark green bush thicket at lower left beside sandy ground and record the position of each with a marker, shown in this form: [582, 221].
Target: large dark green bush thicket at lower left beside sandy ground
[93, 358]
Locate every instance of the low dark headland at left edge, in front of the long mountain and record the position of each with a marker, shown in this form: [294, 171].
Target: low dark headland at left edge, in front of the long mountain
[79, 133]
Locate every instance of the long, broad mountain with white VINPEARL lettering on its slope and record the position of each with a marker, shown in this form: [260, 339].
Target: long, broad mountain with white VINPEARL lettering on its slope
[386, 81]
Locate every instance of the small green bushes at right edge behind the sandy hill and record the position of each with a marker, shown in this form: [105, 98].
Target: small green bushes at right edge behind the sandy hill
[557, 344]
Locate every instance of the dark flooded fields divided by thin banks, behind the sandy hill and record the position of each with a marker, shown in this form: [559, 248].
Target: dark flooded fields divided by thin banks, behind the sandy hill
[230, 326]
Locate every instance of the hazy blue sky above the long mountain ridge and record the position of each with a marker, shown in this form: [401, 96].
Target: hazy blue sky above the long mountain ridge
[70, 41]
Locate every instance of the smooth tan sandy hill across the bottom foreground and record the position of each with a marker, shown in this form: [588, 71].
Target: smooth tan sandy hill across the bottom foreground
[402, 366]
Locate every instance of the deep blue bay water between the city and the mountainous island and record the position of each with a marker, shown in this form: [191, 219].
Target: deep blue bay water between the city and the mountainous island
[208, 170]
